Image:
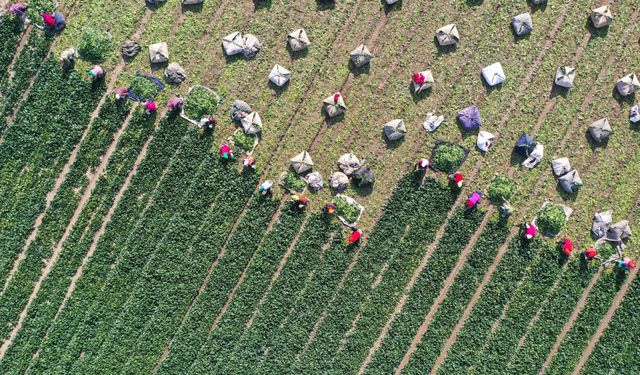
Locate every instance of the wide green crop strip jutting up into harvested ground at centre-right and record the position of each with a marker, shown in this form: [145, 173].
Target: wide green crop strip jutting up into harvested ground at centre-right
[395, 247]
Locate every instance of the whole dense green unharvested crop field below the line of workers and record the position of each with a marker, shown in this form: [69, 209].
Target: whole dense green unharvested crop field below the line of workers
[142, 292]
